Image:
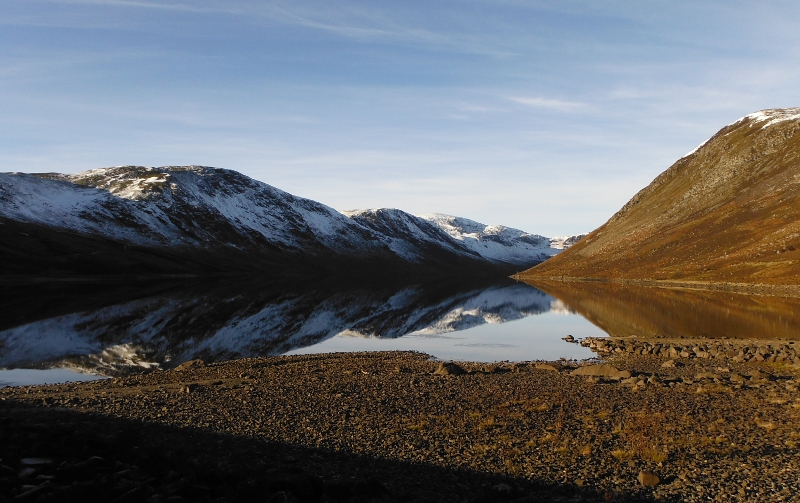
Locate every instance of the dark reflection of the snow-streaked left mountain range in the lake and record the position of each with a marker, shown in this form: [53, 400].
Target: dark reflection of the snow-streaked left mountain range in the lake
[120, 329]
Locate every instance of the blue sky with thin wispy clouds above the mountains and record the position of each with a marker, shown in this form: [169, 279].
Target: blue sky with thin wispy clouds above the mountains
[543, 116]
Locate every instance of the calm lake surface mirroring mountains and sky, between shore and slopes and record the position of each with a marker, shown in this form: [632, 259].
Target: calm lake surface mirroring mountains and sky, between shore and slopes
[113, 330]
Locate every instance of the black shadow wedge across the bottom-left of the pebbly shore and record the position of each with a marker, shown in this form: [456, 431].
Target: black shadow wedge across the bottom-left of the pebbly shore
[72, 456]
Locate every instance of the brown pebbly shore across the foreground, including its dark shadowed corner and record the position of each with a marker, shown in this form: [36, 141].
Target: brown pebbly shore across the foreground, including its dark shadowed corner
[642, 425]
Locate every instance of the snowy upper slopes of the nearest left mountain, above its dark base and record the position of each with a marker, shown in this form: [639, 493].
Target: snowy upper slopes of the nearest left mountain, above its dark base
[179, 206]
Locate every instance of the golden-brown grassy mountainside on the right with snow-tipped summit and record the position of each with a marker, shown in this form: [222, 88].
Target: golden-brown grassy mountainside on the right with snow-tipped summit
[728, 211]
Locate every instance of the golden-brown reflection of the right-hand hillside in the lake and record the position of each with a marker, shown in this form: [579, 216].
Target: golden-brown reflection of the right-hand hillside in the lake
[624, 310]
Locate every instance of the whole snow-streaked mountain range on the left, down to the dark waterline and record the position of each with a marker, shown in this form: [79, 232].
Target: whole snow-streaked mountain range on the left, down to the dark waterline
[137, 220]
